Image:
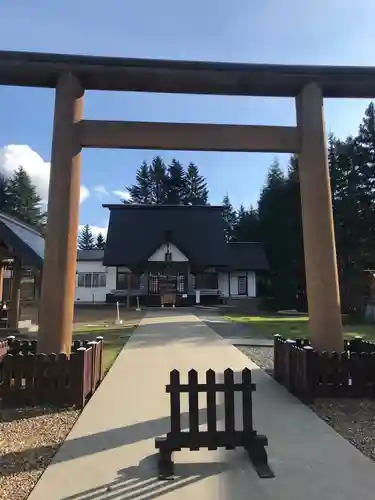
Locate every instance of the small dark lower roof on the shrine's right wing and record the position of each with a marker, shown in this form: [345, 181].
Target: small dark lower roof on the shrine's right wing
[247, 256]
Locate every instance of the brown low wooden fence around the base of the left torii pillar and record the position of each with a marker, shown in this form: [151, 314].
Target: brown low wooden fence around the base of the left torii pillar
[30, 378]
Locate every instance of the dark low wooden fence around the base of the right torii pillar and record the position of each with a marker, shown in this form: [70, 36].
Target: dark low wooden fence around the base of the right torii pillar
[309, 374]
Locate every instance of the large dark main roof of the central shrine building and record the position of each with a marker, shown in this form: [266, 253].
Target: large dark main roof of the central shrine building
[135, 232]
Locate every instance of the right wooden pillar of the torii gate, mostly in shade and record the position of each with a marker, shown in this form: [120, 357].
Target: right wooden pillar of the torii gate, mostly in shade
[318, 230]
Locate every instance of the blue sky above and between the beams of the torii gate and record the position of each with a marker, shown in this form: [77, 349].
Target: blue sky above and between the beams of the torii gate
[268, 31]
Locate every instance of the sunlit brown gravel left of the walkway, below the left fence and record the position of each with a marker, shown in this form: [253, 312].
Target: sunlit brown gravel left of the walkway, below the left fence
[29, 438]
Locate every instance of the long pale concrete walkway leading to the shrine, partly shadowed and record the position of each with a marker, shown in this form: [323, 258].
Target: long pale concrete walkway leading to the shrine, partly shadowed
[110, 452]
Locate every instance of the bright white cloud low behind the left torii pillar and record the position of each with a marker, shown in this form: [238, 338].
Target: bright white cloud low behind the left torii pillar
[15, 155]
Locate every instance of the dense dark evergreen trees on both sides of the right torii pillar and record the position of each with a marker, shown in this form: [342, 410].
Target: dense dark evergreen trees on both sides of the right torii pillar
[277, 221]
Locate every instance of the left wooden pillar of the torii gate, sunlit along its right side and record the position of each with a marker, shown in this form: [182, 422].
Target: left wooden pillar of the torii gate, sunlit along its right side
[59, 270]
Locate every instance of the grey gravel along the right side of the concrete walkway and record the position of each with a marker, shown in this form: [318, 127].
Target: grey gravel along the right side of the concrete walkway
[353, 419]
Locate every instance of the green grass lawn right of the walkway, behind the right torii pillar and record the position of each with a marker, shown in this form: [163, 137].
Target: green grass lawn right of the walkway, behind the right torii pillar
[295, 326]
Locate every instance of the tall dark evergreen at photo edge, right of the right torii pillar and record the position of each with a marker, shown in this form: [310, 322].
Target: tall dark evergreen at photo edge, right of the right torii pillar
[354, 210]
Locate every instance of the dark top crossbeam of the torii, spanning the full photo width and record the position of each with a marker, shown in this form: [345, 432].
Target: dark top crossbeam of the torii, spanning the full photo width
[185, 77]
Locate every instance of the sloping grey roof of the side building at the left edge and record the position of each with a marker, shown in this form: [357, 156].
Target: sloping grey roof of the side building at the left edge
[22, 240]
